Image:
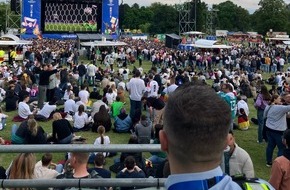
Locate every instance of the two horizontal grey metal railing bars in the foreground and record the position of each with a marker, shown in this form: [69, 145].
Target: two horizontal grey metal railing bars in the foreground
[78, 183]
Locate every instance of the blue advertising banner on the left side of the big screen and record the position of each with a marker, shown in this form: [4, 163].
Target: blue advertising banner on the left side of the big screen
[31, 17]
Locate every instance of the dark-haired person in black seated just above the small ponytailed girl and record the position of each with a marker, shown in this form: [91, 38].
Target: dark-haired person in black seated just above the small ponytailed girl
[102, 118]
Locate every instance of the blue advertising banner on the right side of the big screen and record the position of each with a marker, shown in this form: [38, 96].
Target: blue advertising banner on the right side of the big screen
[110, 22]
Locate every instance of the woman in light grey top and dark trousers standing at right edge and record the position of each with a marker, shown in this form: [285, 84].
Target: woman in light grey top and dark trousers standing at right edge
[275, 126]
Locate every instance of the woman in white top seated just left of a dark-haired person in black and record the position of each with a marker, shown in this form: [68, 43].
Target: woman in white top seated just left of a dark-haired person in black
[81, 120]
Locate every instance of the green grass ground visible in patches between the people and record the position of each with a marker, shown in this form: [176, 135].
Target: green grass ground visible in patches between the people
[245, 139]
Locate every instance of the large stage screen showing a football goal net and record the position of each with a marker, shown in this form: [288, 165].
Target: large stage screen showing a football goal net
[71, 17]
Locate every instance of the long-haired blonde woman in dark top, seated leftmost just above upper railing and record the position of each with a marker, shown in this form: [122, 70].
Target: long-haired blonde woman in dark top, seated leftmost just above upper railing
[35, 134]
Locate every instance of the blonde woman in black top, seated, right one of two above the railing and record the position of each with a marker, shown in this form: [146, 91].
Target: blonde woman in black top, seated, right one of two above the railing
[62, 131]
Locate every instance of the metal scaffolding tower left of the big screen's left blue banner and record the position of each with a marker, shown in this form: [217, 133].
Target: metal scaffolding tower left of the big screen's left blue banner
[13, 18]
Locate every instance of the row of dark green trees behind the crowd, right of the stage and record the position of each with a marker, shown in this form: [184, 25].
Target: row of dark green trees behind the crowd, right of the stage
[163, 18]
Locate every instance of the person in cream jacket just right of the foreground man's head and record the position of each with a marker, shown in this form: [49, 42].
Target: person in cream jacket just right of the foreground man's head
[240, 162]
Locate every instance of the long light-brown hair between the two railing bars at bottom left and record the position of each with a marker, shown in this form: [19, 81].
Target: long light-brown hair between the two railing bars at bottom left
[23, 166]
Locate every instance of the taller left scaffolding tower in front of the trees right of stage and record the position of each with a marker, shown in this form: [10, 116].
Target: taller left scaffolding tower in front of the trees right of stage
[186, 21]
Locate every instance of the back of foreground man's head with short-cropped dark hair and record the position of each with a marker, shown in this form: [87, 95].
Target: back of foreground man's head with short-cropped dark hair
[196, 123]
